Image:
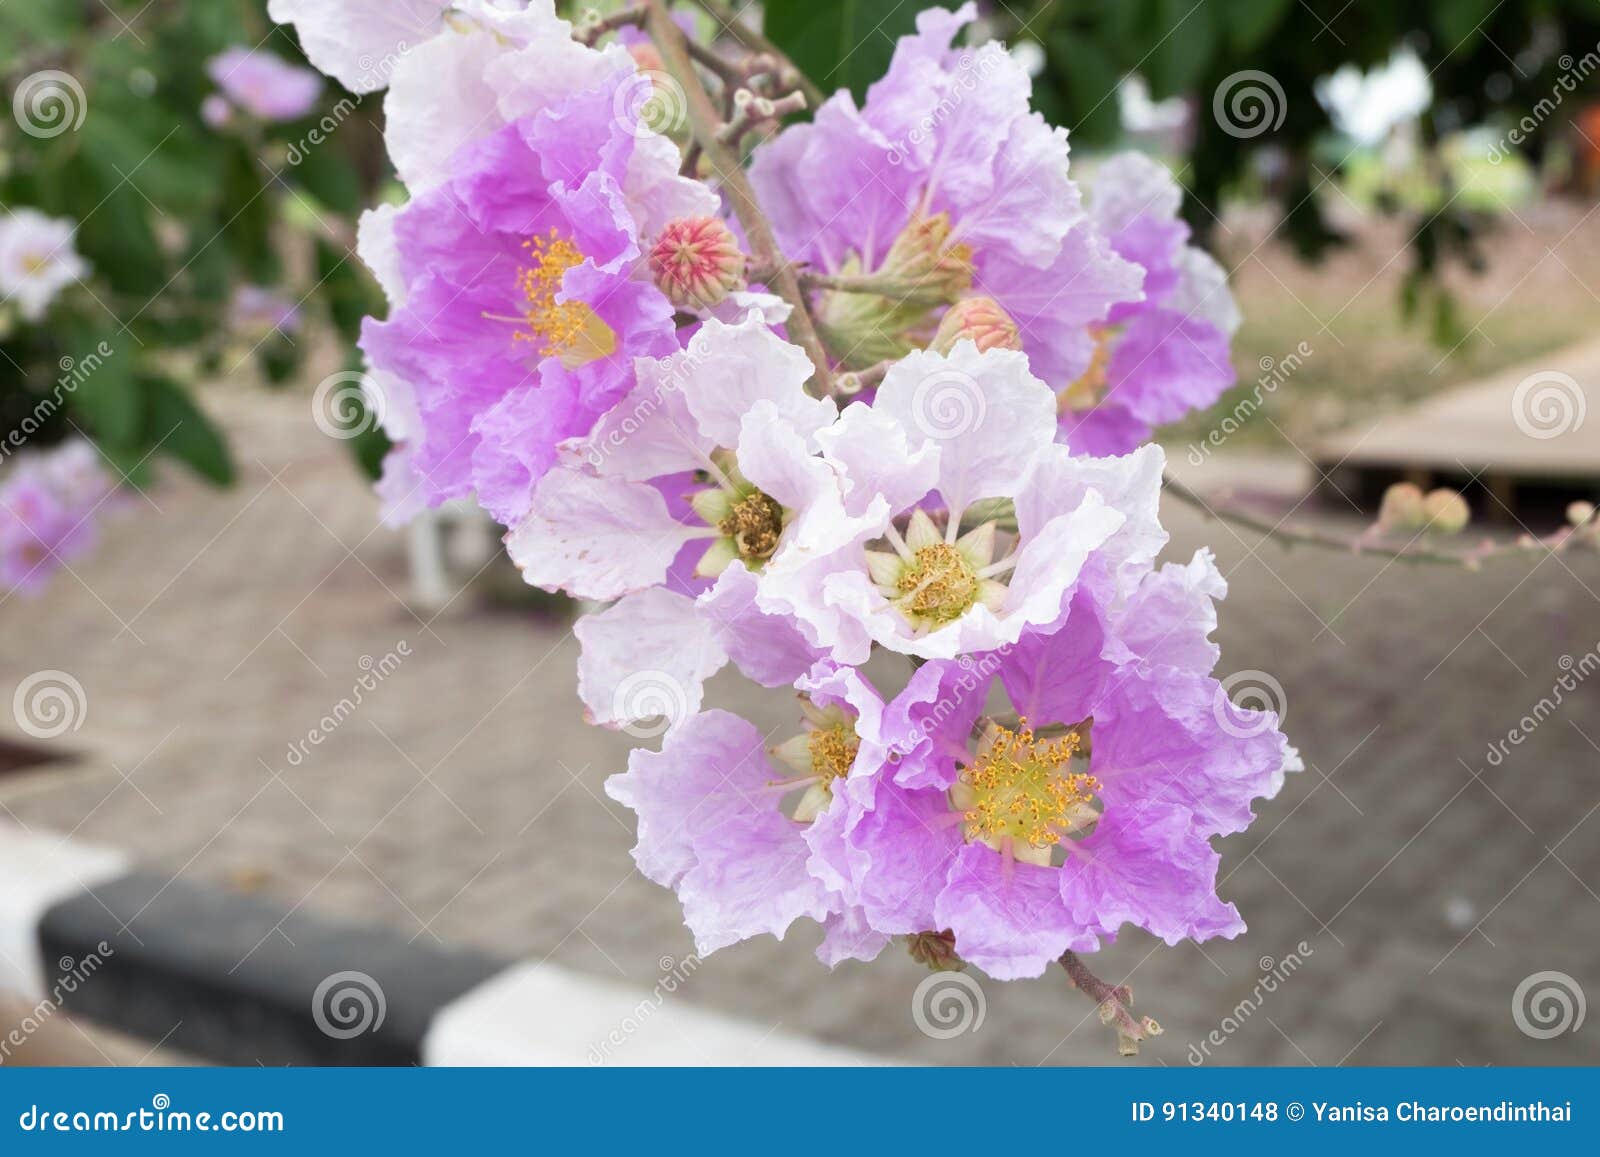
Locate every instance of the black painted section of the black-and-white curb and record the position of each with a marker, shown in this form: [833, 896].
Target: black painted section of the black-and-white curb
[238, 974]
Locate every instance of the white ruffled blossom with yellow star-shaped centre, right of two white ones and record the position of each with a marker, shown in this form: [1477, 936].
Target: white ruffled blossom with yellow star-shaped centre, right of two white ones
[964, 524]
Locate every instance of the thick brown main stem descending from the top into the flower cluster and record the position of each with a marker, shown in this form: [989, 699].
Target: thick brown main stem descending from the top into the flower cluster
[706, 124]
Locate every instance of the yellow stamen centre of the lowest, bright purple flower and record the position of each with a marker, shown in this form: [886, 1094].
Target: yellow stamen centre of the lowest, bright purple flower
[1020, 787]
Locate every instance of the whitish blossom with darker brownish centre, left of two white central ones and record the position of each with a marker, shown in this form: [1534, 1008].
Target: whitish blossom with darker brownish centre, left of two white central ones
[674, 505]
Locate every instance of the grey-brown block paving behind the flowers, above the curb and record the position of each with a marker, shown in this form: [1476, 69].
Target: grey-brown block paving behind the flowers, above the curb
[463, 801]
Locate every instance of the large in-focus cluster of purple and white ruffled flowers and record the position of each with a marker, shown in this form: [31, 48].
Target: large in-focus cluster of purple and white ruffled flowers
[895, 406]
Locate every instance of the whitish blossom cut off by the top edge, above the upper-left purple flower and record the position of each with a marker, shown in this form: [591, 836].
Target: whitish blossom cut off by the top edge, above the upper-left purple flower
[457, 71]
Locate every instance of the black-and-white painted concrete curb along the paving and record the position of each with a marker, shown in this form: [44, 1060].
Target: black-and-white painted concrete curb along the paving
[246, 980]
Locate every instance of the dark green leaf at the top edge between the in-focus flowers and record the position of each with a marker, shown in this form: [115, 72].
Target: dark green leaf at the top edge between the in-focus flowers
[841, 44]
